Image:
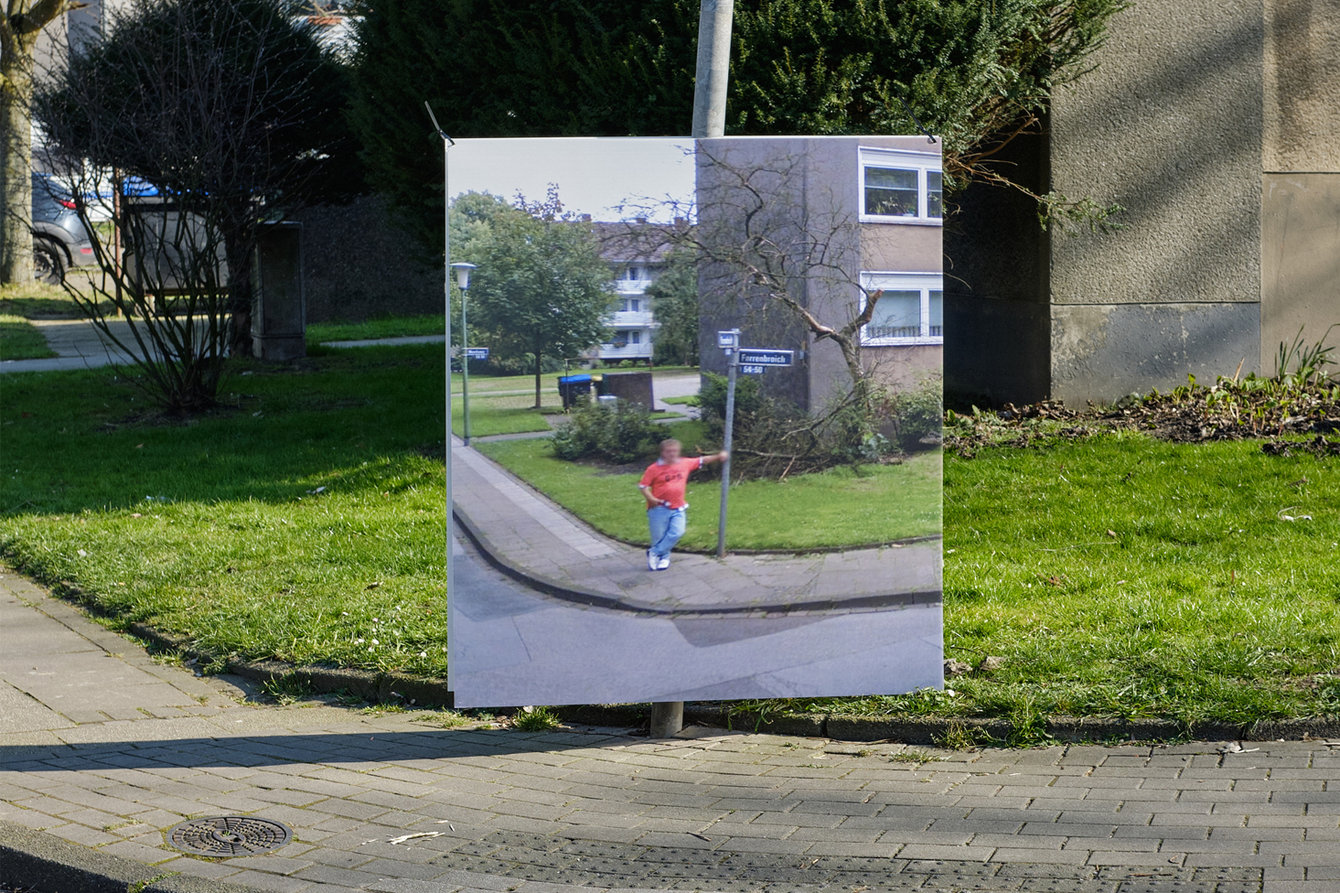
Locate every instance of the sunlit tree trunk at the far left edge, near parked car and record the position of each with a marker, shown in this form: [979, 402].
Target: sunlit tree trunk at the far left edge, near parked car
[17, 158]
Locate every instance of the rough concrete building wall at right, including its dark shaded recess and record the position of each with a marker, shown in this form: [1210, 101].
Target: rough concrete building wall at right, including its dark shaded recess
[1217, 127]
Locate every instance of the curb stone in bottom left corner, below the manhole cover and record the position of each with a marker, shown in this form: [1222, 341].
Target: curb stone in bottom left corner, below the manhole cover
[34, 857]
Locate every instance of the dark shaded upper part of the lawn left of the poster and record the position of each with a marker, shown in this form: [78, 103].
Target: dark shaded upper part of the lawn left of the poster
[93, 442]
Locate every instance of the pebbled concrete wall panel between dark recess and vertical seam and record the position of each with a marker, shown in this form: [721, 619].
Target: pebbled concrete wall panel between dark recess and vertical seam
[1170, 127]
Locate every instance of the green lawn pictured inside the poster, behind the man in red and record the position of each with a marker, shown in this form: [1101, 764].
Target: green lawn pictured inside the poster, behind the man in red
[835, 509]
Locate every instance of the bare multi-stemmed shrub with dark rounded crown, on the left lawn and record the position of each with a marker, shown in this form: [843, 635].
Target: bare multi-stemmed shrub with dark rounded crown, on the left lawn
[228, 115]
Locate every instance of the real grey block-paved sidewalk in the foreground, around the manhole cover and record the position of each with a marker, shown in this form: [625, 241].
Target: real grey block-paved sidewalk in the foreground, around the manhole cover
[104, 748]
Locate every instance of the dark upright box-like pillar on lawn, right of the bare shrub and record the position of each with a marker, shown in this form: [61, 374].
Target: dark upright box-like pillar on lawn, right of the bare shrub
[279, 324]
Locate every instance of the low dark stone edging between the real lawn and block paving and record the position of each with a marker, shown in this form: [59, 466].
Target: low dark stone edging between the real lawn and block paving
[925, 731]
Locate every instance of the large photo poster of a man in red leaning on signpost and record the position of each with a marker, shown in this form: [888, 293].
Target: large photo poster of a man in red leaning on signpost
[764, 308]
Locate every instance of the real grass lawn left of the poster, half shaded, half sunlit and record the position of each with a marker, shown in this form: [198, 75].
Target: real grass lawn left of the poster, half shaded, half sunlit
[215, 528]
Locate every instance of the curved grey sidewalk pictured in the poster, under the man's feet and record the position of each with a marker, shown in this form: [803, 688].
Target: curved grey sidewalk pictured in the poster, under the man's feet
[526, 534]
